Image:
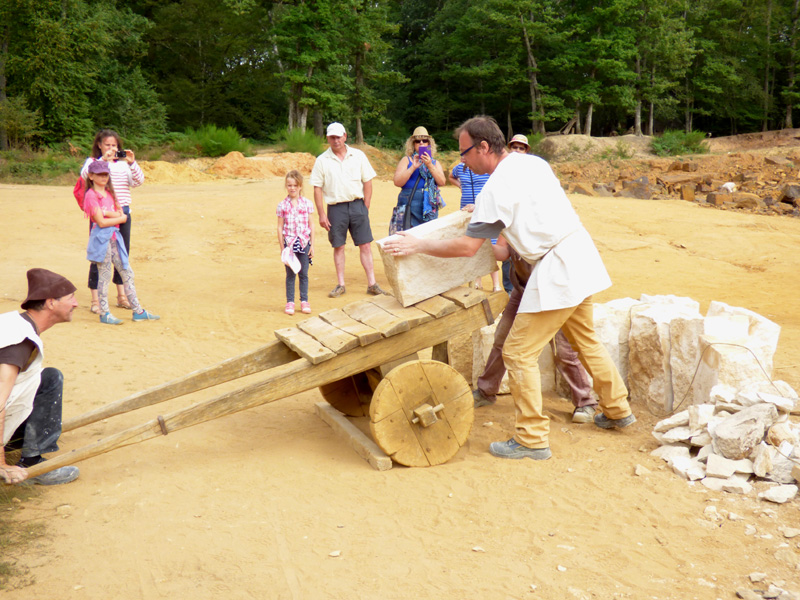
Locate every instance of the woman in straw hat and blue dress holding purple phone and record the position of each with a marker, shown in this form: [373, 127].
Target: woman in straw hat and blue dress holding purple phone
[419, 175]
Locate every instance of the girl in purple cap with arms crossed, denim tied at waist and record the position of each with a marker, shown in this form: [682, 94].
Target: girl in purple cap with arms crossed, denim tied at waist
[105, 243]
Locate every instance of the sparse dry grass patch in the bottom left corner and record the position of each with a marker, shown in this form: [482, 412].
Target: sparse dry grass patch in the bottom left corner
[15, 535]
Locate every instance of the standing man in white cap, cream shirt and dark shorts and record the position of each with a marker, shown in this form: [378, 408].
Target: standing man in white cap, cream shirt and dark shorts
[342, 180]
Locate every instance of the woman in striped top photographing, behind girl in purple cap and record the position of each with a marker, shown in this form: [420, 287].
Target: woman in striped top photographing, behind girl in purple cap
[125, 174]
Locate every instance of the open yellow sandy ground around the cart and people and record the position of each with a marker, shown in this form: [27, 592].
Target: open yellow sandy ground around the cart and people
[252, 505]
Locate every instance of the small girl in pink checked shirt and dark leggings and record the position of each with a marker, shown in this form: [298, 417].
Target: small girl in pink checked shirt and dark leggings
[296, 232]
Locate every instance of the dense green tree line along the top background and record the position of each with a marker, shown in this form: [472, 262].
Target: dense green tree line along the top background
[146, 67]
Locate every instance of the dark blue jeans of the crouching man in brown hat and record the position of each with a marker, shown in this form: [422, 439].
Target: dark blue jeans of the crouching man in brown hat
[39, 433]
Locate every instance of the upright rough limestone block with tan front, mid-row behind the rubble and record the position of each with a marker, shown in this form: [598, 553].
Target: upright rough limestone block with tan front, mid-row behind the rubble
[650, 359]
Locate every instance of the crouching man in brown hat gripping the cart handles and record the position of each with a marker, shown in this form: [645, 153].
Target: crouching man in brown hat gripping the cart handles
[30, 396]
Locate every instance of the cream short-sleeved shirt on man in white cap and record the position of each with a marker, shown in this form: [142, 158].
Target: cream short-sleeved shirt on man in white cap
[341, 180]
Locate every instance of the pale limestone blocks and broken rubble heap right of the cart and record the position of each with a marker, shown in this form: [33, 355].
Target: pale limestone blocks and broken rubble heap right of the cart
[729, 421]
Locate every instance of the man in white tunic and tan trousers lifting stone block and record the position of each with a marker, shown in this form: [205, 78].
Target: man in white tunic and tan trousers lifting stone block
[523, 200]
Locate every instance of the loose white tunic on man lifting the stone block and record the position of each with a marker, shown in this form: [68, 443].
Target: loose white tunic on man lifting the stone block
[541, 225]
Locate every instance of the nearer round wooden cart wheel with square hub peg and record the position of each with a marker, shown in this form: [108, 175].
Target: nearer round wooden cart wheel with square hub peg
[421, 413]
